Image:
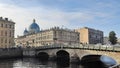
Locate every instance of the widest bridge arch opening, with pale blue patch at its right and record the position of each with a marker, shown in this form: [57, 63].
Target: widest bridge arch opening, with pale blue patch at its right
[97, 61]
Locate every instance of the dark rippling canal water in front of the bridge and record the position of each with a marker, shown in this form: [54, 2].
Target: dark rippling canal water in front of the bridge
[34, 63]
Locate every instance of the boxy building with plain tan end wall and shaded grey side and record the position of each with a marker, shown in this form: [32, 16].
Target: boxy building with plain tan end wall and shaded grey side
[90, 36]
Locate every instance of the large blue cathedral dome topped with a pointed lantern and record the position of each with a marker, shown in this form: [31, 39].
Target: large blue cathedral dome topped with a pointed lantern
[34, 27]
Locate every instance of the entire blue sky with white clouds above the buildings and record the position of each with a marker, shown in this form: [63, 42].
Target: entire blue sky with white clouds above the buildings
[101, 15]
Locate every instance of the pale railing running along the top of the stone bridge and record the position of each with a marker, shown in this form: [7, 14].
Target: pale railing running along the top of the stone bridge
[87, 47]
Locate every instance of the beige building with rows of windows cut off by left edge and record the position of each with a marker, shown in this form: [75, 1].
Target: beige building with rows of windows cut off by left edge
[6, 33]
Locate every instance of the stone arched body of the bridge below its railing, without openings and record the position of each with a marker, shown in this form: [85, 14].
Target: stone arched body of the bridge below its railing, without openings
[79, 52]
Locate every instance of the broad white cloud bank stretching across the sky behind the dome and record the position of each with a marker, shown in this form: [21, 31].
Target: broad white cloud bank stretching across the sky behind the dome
[45, 17]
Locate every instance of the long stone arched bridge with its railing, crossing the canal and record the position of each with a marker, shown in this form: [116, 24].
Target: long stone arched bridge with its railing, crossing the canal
[80, 51]
